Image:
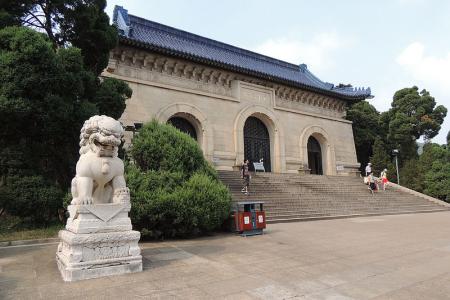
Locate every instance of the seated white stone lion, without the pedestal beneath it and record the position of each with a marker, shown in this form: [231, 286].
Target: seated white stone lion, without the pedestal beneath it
[99, 173]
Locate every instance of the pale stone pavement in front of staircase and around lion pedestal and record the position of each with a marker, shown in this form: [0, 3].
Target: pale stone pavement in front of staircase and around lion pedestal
[383, 257]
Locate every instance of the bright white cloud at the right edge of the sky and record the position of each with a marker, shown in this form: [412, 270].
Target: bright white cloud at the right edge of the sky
[431, 70]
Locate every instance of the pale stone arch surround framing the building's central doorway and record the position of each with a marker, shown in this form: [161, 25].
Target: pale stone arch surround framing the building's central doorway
[276, 135]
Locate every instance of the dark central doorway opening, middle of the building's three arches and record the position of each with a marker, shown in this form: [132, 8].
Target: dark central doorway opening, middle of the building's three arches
[256, 142]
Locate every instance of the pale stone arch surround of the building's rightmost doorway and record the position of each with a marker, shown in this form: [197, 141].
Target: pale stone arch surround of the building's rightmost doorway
[327, 152]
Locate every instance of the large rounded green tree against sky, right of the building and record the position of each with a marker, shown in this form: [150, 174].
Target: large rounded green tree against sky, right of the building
[412, 115]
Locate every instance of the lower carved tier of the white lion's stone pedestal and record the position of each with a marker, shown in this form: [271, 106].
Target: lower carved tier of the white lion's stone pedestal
[91, 255]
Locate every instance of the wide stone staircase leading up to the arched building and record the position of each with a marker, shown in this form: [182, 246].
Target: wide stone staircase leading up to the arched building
[294, 197]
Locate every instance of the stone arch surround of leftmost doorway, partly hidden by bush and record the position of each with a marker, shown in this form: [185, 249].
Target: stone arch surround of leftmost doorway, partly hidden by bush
[196, 118]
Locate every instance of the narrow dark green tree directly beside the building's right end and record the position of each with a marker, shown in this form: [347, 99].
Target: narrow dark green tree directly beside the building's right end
[366, 129]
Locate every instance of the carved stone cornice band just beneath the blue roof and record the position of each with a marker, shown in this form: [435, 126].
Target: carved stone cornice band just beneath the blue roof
[154, 66]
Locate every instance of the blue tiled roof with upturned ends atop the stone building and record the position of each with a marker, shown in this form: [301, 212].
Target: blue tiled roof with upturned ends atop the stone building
[160, 37]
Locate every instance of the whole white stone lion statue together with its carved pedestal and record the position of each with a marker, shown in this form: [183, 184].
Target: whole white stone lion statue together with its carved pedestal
[98, 239]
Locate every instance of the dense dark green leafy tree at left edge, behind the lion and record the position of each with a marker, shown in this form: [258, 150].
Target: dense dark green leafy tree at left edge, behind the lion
[44, 99]
